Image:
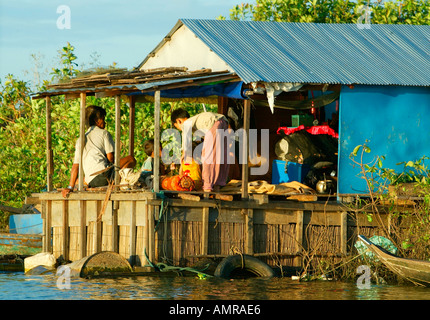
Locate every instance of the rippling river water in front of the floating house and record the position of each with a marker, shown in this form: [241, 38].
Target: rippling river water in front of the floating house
[17, 286]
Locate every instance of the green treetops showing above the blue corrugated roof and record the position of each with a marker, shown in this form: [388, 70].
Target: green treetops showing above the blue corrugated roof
[334, 11]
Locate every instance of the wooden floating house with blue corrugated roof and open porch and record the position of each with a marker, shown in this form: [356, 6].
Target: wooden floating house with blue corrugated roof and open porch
[321, 80]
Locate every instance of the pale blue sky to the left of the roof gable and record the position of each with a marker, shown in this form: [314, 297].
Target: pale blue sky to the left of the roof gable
[102, 32]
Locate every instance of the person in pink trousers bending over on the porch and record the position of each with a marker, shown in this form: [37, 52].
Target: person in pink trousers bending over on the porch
[215, 166]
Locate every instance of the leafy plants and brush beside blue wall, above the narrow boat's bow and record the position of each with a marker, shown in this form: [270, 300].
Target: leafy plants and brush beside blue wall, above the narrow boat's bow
[405, 193]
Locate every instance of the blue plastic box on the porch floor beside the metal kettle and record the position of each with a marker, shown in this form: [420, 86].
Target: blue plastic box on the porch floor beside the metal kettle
[283, 171]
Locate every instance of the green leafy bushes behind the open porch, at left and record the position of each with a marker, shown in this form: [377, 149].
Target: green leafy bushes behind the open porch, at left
[23, 135]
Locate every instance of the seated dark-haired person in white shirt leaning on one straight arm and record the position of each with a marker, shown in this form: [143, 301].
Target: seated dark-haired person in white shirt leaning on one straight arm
[98, 152]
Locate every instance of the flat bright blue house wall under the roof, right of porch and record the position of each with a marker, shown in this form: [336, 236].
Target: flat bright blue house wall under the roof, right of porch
[395, 120]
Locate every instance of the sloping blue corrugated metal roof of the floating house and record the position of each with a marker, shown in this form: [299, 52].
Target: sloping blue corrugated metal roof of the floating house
[319, 53]
